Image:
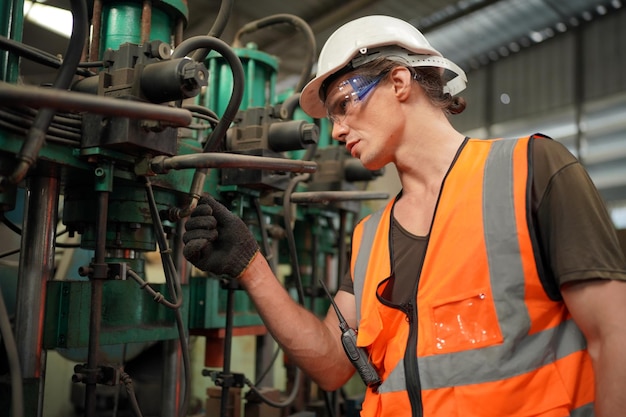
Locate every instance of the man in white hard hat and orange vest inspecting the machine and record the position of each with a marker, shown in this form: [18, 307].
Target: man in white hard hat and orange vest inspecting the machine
[492, 285]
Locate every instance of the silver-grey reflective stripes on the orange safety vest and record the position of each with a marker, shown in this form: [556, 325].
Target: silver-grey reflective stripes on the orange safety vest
[505, 266]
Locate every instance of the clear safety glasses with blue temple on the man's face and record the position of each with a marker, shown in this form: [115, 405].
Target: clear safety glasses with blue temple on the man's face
[349, 94]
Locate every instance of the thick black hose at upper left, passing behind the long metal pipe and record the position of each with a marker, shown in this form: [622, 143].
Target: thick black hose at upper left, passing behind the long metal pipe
[37, 133]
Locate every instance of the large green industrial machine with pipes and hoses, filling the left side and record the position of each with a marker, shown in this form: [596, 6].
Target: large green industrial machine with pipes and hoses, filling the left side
[114, 156]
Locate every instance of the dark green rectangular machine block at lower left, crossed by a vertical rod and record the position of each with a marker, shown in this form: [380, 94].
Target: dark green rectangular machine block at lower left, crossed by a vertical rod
[129, 314]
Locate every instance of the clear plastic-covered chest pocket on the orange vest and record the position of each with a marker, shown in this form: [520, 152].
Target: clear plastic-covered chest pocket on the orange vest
[468, 321]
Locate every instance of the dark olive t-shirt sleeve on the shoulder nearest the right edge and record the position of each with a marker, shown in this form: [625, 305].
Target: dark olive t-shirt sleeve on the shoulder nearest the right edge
[576, 236]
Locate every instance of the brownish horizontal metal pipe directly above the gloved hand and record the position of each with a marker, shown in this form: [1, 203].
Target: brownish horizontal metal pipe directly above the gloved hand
[162, 164]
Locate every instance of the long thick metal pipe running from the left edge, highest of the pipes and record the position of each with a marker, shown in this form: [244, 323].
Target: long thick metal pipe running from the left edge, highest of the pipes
[38, 97]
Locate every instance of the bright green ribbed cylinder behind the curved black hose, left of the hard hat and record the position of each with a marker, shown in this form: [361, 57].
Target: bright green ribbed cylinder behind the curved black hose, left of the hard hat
[260, 72]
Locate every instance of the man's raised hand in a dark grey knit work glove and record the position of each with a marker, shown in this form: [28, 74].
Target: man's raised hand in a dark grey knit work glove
[217, 241]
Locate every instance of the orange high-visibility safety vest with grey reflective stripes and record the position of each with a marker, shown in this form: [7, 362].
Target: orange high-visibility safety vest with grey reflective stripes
[485, 339]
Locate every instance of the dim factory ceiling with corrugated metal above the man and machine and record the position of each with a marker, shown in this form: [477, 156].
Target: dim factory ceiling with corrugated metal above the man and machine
[469, 32]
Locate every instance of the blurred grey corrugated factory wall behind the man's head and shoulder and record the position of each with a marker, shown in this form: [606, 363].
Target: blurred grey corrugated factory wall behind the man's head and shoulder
[571, 87]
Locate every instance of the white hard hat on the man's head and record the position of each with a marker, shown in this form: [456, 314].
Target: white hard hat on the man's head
[367, 38]
